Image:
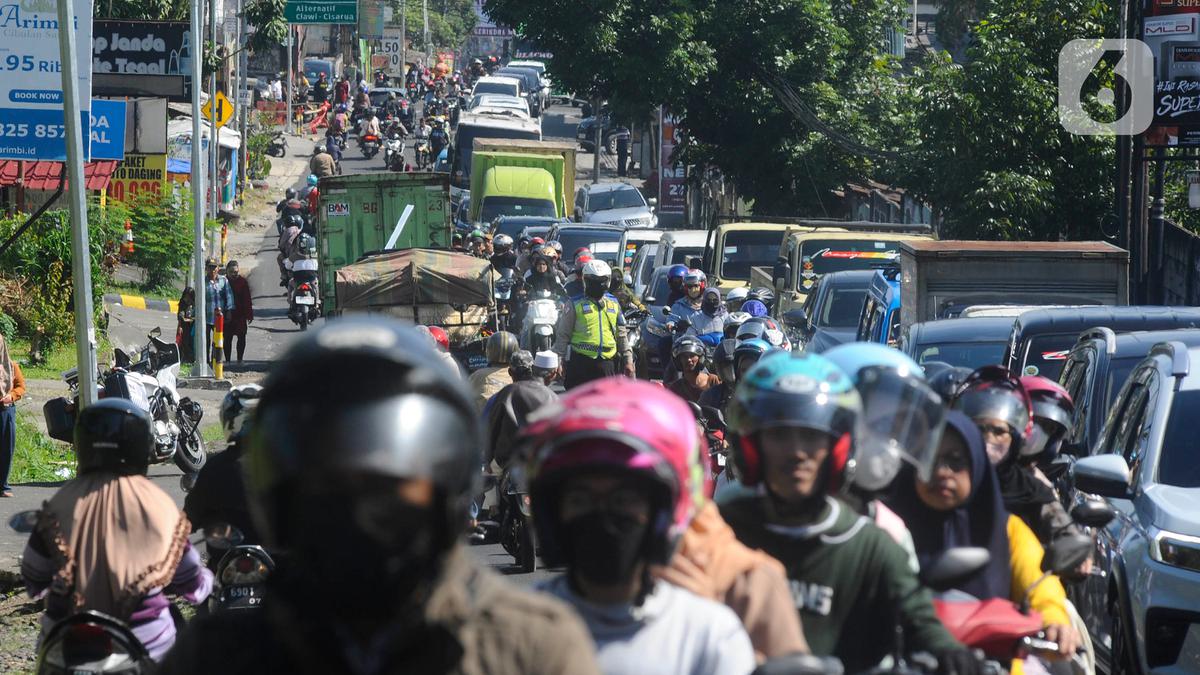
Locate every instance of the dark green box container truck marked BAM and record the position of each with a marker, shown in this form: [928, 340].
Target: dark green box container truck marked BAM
[379, 212]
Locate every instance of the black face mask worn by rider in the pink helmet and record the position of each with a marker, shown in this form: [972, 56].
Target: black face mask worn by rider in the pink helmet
[604, 547]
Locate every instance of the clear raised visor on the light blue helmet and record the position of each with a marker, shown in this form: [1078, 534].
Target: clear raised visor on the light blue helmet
[903, 419]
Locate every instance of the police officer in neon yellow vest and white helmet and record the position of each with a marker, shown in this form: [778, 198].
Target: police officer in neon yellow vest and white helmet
[595, 330]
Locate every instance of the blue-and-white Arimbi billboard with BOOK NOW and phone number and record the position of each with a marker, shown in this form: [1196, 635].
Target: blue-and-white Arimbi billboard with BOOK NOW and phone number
[32, 124]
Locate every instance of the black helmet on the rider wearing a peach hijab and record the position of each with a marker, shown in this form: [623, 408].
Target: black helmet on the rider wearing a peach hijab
[115, 435]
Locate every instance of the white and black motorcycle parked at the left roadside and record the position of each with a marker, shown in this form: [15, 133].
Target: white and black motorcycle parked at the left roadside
[151, 384]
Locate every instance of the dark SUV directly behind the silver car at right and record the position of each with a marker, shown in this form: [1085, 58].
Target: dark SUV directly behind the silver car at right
[1099, 367]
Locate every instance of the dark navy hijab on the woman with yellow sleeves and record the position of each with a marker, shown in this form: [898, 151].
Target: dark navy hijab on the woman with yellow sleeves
[981, 522]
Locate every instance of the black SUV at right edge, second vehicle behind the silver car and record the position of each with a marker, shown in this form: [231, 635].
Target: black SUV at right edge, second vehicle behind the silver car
[1041, 339]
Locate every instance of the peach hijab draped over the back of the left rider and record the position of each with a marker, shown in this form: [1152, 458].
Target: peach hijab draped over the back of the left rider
[115, 539]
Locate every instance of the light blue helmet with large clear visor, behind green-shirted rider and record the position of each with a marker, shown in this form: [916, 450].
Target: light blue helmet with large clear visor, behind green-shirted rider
[903, 417]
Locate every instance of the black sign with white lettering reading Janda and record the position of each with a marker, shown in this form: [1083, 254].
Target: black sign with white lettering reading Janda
[142, 49]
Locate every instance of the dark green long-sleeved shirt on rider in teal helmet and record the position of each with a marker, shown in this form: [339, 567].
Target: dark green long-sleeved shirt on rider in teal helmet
[850, 581]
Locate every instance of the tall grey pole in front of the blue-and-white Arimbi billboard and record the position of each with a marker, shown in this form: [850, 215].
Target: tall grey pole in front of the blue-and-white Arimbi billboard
[81, 255]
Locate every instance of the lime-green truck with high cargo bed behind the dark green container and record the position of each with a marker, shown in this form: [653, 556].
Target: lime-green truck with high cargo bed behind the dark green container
[521, 178]
